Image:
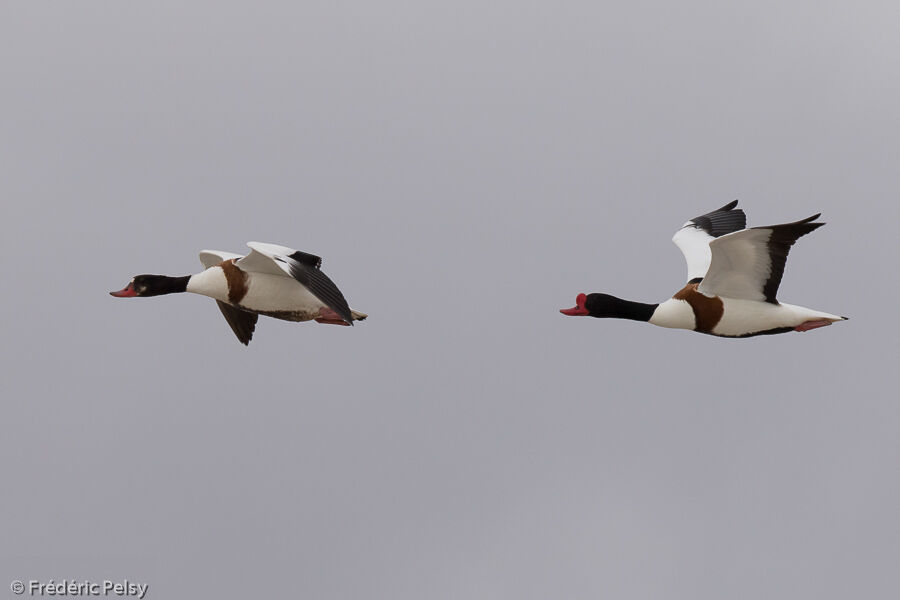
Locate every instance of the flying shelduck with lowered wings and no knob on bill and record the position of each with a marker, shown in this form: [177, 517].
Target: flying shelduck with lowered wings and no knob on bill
[273, 281]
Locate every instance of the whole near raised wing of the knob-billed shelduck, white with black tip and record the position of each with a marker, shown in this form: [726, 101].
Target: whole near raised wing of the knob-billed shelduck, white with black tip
[749, 264]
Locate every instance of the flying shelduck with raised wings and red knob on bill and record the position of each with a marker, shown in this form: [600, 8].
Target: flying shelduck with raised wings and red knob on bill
[733, 277]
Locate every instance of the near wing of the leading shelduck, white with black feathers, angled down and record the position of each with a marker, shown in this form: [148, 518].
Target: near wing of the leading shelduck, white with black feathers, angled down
[303, 267]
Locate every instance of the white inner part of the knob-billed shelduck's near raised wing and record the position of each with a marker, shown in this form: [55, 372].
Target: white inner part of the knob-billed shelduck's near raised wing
[740, 265]
